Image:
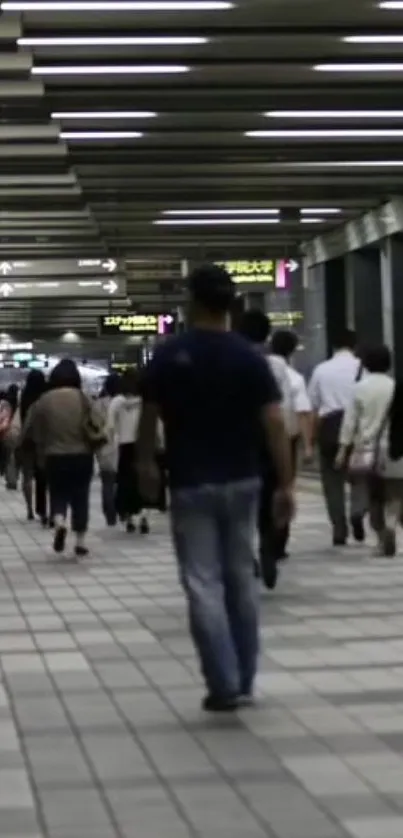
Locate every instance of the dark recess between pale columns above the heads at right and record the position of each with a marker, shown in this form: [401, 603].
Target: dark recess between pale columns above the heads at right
[364, 295]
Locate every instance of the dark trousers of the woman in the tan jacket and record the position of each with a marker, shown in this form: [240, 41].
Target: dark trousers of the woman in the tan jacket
[69, 477]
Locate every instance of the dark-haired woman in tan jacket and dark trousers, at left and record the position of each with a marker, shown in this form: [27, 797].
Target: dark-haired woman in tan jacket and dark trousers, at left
[59, 426]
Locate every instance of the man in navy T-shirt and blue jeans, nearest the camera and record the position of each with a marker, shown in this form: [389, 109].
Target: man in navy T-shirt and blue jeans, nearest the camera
[214, 393]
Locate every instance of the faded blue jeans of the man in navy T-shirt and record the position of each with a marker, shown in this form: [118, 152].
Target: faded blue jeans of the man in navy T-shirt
[213, 529]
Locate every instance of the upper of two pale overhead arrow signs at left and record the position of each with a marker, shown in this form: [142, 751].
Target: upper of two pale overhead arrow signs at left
[59, 267]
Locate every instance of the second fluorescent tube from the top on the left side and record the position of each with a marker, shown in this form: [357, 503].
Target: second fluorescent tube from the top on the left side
[119, 41]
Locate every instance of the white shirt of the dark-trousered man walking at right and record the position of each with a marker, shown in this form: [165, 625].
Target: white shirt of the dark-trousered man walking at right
[332, 383]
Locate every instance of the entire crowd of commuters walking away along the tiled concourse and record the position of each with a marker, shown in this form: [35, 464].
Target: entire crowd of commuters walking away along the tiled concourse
[225, 417]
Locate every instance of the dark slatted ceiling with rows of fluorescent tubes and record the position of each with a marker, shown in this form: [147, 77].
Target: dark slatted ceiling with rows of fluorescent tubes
[64, 193]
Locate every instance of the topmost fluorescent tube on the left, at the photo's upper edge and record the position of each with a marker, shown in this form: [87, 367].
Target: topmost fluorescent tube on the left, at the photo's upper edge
[116, 6]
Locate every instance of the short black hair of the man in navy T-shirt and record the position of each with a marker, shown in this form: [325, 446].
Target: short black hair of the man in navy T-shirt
[212, 288]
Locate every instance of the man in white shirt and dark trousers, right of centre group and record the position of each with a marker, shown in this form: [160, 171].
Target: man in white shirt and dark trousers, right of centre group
[331, 390]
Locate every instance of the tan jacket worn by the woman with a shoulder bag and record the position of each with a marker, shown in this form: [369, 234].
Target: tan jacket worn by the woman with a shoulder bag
[55, 423]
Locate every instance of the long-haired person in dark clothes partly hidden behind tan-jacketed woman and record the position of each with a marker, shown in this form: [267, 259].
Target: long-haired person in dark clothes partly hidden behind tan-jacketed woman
[33, 471]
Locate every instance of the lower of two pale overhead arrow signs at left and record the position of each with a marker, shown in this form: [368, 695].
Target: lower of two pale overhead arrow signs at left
[101, 287]
